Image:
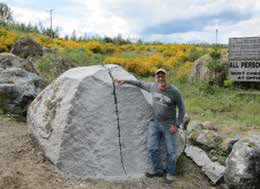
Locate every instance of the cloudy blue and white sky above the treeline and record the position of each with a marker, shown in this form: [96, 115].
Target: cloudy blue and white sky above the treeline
[168, 21]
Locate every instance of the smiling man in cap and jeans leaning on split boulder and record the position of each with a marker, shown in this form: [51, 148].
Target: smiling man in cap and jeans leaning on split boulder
[165, 122]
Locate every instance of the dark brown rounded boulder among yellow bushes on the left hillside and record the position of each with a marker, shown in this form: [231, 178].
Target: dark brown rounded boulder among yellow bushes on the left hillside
[26, 47]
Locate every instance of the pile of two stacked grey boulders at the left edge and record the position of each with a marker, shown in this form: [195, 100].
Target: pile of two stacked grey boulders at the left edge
[19, 84]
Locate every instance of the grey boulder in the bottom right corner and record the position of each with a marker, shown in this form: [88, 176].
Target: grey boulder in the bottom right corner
[243, 164]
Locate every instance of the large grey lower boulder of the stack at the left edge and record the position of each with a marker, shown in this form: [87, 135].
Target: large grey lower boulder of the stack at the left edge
[18, 88]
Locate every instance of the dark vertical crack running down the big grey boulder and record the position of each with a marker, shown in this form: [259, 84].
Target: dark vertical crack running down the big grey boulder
[118, 124]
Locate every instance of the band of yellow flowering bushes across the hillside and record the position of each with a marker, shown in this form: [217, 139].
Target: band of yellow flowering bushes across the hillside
[137, 58]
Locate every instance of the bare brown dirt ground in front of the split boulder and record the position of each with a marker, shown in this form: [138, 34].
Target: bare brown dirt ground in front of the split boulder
[22, 167]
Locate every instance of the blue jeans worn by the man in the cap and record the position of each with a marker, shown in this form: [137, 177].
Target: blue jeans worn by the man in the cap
[159, 130]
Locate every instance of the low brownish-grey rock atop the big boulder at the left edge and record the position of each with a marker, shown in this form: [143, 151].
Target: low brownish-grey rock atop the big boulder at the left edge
[9, 60]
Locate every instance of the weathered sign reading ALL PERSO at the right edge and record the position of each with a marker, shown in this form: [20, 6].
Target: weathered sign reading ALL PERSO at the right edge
[244, 59]
